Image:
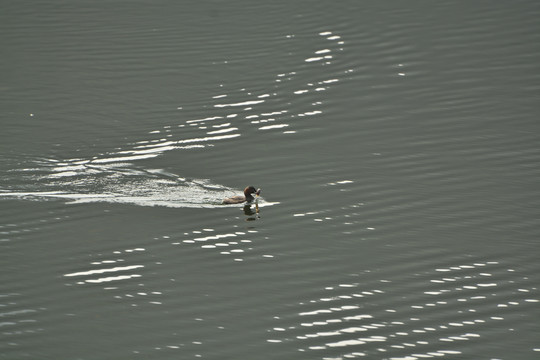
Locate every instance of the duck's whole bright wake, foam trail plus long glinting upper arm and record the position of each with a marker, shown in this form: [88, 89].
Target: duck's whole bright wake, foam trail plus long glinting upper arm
[111, 177]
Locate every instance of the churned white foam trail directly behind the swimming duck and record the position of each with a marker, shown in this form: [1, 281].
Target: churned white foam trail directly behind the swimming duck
[135, 187]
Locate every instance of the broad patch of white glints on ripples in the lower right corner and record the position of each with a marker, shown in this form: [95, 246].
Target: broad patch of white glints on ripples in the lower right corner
[428, 320]
